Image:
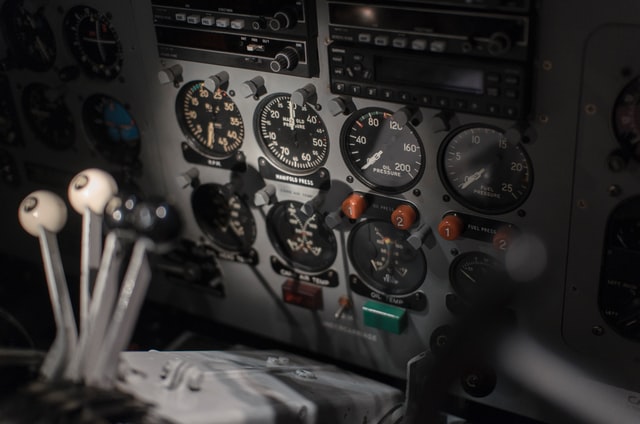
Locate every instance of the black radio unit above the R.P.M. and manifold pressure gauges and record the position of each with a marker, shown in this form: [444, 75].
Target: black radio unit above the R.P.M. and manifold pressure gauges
[269, 36]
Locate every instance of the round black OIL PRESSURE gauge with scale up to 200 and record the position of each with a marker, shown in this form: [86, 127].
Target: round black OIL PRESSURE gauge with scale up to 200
[383, 154]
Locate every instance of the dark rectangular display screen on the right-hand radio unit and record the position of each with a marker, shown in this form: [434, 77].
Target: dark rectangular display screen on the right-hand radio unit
[429, 75]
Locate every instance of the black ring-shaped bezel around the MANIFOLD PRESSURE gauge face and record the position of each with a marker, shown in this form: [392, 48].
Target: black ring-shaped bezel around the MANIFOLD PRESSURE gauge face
[257, 119]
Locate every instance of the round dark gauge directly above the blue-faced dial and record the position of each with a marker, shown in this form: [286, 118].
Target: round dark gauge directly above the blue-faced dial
[93, 41]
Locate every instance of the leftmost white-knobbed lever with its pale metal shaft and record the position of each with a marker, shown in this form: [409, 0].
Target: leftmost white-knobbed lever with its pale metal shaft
[43, 214]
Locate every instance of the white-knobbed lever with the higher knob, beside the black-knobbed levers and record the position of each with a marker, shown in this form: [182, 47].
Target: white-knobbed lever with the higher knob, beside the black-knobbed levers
[89, 192]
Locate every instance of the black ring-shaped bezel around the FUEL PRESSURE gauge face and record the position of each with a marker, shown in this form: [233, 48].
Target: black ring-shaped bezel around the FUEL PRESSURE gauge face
[459, 197]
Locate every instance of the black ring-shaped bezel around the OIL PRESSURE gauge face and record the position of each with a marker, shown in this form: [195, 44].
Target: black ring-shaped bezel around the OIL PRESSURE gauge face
[346, 128]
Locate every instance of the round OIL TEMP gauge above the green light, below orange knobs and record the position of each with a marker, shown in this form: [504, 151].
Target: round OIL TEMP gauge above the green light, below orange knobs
[386, 262]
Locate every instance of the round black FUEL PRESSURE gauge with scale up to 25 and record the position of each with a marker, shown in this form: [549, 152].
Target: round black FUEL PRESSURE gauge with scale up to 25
[484, 171]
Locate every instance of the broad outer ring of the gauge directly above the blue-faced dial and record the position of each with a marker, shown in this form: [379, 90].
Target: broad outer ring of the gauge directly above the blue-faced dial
[106, 71]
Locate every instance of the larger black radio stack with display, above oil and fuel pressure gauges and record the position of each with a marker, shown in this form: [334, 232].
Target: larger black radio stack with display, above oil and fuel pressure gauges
[467, 61]
